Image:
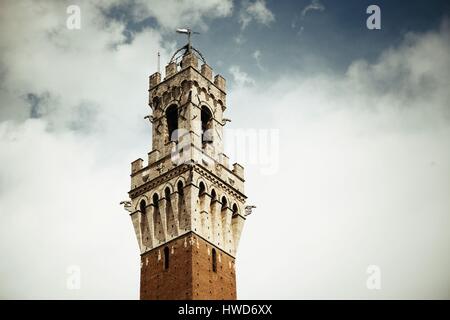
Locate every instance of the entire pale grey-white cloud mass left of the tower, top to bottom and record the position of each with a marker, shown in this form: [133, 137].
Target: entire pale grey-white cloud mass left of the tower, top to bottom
[85, 91]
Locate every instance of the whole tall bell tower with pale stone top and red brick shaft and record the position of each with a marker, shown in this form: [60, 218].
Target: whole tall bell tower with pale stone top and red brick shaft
[187, 204]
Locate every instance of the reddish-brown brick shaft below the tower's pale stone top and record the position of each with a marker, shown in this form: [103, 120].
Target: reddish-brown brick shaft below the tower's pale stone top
[190, 274]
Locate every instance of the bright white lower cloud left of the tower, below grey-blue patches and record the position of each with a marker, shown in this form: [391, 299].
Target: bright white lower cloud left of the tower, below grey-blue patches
[59, 208]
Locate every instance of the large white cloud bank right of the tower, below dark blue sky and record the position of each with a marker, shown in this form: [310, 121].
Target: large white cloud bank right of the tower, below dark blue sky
[364, 167]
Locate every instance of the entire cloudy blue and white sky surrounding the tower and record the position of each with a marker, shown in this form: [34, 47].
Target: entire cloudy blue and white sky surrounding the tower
[350, 172]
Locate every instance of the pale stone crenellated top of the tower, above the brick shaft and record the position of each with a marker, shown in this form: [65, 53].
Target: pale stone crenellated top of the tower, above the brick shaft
[187, 185]
